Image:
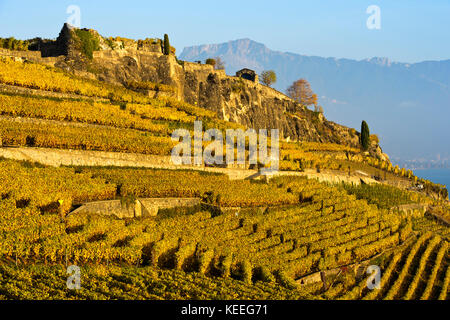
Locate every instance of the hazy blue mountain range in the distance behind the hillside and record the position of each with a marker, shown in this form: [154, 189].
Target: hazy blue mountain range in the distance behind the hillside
[408, 105]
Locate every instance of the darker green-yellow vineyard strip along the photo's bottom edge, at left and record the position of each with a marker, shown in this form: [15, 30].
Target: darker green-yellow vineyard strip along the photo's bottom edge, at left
[149, 283]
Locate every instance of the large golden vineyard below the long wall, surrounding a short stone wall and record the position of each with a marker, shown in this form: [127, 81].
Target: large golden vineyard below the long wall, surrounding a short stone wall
[321, 228]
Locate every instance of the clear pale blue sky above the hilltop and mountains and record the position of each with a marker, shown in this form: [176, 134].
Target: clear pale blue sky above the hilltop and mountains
[411, 30]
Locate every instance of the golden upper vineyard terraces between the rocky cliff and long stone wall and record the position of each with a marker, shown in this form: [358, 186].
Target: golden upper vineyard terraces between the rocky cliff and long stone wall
[127, 121]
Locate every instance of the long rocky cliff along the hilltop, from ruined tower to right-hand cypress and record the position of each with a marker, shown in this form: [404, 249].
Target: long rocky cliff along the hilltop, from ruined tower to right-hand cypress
[232, 98]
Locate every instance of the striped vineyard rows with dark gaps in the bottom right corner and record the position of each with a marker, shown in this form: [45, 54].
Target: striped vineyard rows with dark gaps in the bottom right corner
[418, 271]
